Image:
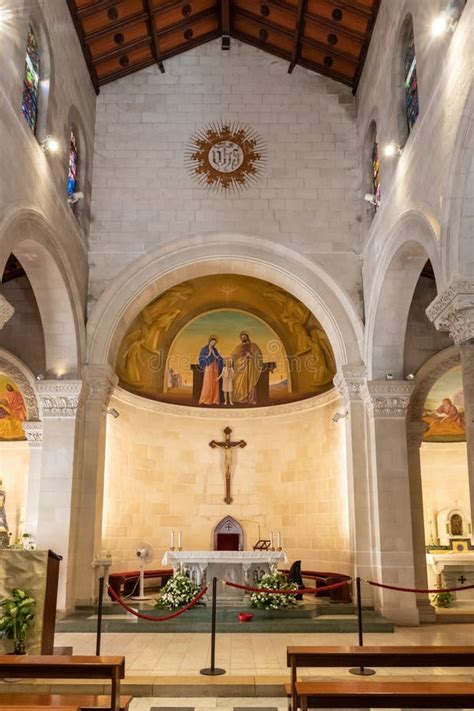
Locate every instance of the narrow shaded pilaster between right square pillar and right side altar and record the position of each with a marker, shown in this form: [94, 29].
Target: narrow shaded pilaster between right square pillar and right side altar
[415, 432]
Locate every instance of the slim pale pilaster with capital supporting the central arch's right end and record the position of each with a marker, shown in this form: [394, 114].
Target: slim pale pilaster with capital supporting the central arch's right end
[349, 381]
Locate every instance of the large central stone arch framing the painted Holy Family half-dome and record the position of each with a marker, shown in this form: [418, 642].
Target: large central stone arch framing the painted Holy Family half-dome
[155, 272]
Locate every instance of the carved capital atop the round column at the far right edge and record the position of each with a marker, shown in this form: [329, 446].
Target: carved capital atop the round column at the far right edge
[453, 311]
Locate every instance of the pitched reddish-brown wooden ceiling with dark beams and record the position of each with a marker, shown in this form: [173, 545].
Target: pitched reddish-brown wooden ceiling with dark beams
[120, 37]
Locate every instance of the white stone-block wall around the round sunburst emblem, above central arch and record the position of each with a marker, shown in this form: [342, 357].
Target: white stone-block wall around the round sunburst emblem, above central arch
[306, 199]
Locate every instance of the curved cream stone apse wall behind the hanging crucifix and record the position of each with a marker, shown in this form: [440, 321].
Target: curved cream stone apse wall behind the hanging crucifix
[161, 475]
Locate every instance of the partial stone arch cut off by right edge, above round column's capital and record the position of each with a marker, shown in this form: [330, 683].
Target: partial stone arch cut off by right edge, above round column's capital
[457, 217]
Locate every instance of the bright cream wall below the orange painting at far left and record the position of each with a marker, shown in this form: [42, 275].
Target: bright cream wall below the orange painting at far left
[14, 466]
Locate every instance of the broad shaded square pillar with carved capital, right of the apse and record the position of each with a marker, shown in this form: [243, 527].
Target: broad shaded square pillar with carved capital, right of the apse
[393, 561]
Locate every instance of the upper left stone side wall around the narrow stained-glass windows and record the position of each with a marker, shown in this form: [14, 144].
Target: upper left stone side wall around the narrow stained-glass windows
[34, 181]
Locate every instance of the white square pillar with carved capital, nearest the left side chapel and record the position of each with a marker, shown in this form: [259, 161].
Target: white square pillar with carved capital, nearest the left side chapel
[59, 403]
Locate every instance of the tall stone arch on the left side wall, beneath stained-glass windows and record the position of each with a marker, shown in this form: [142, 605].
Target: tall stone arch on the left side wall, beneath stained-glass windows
[27, 234]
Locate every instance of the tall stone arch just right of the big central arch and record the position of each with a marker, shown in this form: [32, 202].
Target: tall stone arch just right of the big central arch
[412, 241]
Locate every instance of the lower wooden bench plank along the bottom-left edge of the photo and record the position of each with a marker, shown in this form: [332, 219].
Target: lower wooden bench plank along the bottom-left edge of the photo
[83, 702]
